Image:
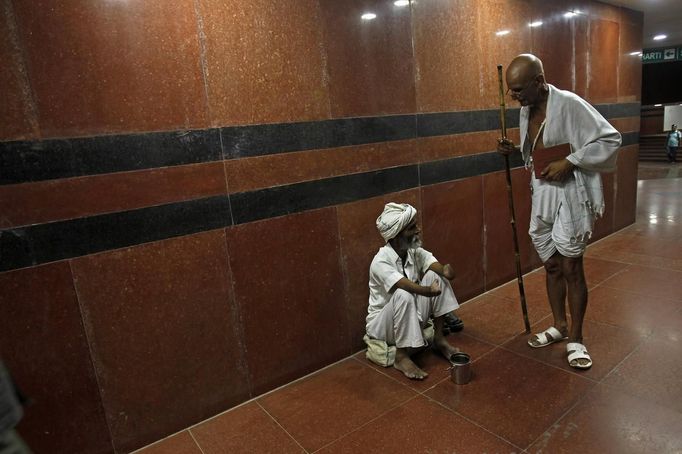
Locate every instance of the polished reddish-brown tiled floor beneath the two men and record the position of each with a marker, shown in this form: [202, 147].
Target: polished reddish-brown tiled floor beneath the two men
[519, 399]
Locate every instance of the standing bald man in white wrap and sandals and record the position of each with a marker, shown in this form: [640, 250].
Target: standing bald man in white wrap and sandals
[567, 196]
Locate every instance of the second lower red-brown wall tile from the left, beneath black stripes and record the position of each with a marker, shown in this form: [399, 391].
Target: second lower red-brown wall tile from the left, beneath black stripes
[164, 335]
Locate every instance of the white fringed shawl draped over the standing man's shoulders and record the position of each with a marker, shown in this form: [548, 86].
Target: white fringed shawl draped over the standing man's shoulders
[594, 145]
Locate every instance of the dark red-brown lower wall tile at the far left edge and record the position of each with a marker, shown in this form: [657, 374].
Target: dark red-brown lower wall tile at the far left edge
[43, 342]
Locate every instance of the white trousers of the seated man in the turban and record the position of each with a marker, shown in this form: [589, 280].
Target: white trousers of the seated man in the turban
[401, 320]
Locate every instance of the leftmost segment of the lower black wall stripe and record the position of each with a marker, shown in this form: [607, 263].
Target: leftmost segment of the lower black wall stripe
[28, 246]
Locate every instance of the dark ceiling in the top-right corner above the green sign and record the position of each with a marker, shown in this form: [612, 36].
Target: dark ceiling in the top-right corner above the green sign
[660, 17]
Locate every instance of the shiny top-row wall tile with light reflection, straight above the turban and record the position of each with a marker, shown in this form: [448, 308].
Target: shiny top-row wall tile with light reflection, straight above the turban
[370, 62]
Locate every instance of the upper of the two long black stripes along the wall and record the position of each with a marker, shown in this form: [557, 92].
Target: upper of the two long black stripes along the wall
[29, 161]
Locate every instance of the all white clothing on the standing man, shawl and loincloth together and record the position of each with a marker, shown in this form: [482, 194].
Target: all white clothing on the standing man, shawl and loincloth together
[594, 143]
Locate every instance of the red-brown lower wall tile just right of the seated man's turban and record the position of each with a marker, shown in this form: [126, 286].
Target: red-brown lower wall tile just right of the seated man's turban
[452, 221]
